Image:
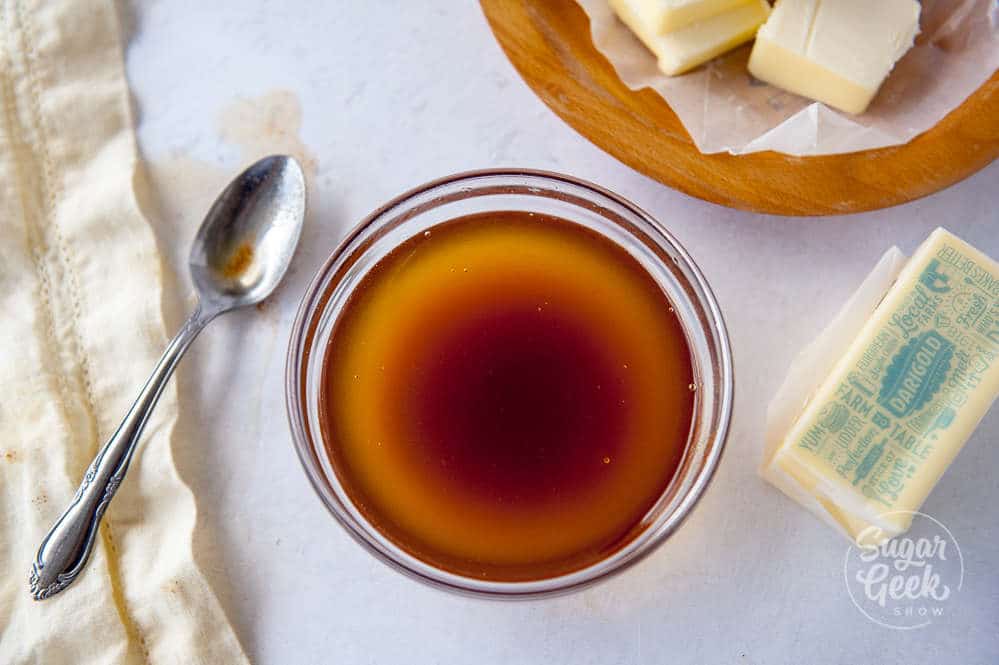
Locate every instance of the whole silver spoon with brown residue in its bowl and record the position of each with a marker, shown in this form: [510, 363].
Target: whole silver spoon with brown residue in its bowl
[239, 255]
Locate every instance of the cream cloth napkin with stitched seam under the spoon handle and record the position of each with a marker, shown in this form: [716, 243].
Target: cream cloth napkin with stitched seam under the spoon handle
[80, 329]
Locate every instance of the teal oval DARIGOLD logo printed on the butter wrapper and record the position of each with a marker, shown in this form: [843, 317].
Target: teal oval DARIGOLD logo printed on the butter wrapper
[916, 373]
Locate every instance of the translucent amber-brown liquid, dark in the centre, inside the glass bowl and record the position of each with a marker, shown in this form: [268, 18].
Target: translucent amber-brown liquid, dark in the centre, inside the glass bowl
[507, 396]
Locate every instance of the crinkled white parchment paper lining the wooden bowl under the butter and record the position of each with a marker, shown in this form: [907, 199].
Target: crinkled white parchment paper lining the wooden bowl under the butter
[726, 110]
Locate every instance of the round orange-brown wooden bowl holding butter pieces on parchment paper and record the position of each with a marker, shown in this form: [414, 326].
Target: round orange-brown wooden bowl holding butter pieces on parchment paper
[548, 41]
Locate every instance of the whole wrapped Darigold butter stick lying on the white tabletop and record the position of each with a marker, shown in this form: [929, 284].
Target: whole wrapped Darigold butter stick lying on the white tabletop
[895, 409]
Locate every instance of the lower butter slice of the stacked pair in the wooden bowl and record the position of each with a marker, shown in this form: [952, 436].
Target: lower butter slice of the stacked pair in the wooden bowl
[695, 44]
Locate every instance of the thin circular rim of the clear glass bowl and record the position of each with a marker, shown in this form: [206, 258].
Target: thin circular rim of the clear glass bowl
[309, 310]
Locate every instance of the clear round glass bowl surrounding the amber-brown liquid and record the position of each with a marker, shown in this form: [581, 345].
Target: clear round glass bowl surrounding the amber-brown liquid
[530, 191]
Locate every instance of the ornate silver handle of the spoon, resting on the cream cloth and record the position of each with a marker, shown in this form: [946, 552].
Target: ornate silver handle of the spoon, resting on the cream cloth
[67, 547]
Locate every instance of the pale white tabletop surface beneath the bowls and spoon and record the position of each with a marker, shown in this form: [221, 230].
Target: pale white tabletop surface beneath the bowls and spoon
[393, 94]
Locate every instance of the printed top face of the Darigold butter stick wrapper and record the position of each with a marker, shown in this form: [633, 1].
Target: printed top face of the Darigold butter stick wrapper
[912, 378]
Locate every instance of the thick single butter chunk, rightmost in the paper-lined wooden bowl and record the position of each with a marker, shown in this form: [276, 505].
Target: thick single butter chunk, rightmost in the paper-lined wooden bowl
[834, 51]
